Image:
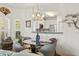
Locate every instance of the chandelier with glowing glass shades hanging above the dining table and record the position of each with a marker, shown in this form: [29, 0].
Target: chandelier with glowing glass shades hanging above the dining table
[37, 15]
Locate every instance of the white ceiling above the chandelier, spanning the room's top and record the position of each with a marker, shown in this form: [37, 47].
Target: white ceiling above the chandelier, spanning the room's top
[42, 6]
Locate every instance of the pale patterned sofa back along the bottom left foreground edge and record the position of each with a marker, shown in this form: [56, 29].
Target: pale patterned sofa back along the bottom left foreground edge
[11, 53]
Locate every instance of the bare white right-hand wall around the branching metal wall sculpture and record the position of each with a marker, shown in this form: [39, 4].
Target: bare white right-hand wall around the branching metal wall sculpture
[68, 45]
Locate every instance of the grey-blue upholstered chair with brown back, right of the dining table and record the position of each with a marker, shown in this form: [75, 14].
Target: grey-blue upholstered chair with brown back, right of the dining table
[50, 48]
